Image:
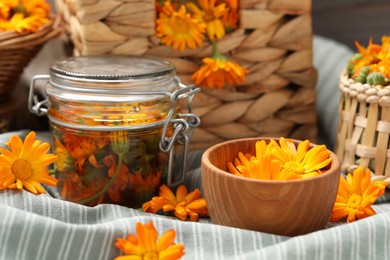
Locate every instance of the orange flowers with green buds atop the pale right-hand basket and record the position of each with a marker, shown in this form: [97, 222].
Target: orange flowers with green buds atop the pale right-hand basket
[371, 64]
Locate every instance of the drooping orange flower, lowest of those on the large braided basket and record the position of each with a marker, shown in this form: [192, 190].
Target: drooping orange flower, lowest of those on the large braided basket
[215, 73]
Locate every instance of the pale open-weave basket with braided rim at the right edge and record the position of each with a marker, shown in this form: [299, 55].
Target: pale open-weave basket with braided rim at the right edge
[364, 127]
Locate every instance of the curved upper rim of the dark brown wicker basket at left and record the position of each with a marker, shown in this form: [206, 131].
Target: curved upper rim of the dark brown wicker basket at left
[12, 40]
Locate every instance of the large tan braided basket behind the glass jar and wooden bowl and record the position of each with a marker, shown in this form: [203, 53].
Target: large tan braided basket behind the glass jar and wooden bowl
[274, 42]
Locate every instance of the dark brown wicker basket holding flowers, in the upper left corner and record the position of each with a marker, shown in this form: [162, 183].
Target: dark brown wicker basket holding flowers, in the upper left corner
[17, 50]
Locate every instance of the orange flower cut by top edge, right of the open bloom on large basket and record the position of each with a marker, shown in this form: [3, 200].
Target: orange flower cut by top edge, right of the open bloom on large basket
[211, 14]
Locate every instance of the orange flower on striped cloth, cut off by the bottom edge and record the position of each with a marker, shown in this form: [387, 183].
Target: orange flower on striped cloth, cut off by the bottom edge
[147, 245]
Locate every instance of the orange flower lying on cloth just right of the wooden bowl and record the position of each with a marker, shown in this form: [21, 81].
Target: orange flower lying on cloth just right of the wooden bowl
[355, 196]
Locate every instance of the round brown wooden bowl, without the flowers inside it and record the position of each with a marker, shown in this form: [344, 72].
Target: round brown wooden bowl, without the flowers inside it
[289, 208]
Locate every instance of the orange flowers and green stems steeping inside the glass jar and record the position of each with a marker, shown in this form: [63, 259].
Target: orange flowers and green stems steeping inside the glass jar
[123, 167]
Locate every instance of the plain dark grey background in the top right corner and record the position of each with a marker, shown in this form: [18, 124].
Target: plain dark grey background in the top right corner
[350, 20]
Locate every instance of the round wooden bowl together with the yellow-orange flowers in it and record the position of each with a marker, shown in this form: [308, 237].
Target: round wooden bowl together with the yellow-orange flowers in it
[293, 192]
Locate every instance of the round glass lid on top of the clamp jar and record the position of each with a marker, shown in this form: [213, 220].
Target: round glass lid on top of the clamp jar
[111, 78]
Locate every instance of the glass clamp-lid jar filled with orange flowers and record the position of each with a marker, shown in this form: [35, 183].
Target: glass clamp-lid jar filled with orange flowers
[116, 122]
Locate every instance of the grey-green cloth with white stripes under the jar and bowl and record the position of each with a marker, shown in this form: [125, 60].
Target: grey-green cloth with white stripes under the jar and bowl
[45, 227]
